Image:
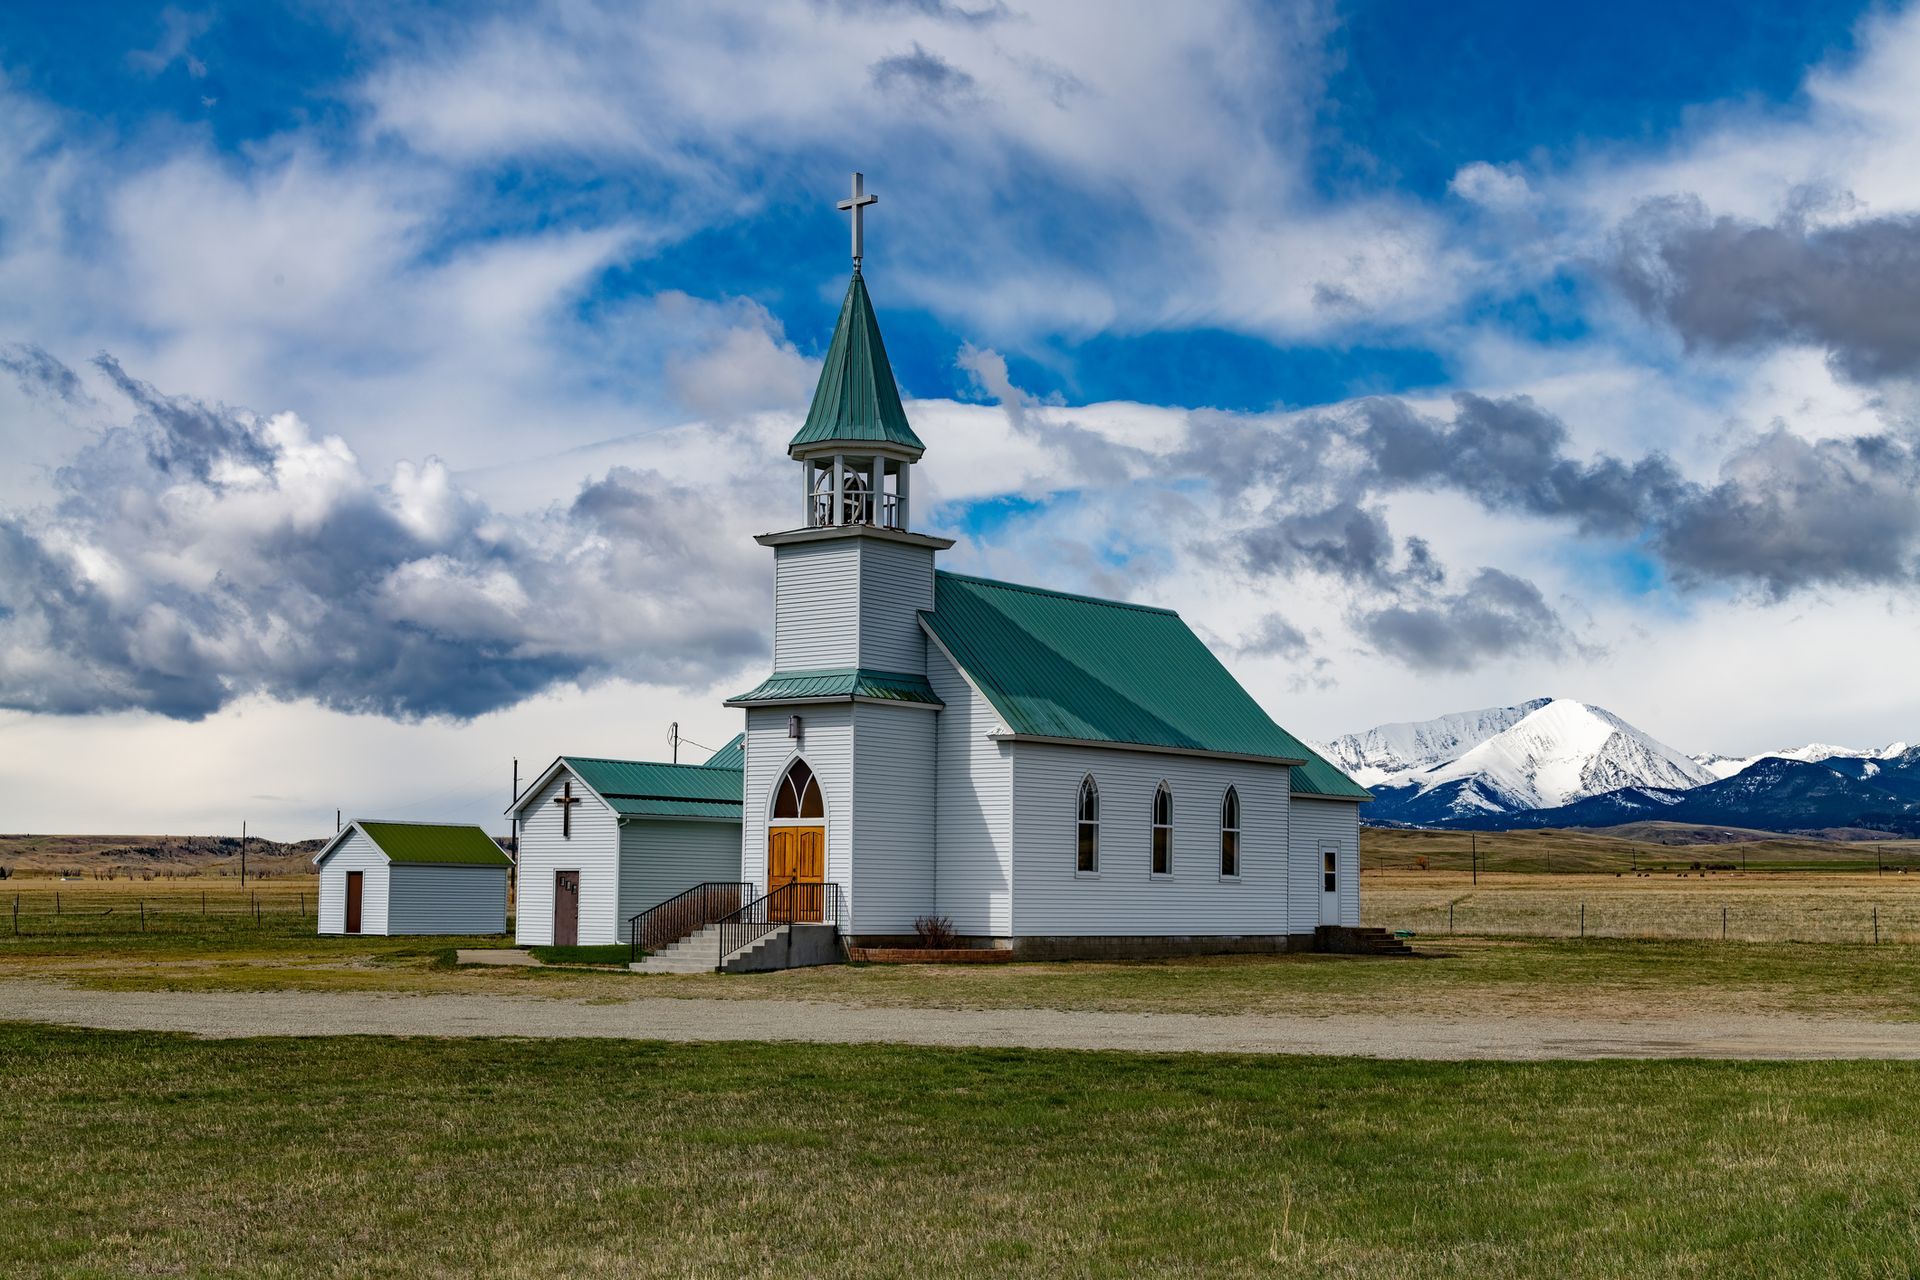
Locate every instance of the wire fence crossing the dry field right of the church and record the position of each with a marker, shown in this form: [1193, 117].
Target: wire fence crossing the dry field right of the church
[1545, 914]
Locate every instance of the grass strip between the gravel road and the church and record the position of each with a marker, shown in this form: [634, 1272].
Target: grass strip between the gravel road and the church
[1454, 976]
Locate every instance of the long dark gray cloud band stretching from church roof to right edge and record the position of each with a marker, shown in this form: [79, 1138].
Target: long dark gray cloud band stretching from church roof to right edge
[1785, 513]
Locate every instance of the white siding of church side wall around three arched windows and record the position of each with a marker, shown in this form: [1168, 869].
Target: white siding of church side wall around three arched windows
[1126, 899]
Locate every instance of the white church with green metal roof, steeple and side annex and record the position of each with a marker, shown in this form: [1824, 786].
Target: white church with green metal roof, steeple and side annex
[1053, 774]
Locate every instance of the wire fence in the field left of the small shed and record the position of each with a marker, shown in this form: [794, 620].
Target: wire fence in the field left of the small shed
[91, 913]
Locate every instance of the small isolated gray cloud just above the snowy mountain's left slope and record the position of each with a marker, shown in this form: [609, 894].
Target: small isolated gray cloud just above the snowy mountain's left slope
[1493, 617]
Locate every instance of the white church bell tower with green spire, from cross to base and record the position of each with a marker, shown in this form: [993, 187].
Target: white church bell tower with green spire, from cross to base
[850, 690]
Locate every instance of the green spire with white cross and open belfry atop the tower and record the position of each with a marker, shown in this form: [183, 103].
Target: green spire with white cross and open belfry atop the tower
[857, 446]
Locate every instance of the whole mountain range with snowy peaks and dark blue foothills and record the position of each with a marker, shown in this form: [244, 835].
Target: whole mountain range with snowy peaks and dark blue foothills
[1558, 763]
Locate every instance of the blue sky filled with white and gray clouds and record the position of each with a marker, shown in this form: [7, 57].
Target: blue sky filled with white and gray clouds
[404, 335]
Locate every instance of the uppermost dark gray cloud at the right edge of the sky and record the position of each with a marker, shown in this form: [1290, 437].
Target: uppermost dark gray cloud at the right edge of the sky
[1731, 285]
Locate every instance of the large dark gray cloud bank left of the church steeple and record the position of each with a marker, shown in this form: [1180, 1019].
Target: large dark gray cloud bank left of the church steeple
[199, 556]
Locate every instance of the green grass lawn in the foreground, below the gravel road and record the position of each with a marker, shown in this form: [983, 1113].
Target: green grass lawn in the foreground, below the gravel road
[149, 1154]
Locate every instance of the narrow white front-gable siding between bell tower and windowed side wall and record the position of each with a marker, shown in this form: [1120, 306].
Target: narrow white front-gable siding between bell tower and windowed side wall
[974, 809]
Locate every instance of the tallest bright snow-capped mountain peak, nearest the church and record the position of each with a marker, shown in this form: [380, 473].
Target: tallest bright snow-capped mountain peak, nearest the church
[1537, 755]
